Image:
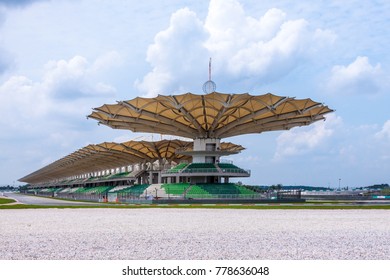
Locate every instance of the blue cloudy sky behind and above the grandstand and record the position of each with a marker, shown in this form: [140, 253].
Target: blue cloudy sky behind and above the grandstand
[59, 59]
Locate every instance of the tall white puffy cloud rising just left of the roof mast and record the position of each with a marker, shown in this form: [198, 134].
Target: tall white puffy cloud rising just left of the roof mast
[175, 54]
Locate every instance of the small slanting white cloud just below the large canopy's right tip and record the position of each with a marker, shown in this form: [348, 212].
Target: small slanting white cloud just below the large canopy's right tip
[298, 141]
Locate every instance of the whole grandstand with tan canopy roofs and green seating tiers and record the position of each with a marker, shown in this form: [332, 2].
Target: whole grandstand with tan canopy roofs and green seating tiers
[169, 169]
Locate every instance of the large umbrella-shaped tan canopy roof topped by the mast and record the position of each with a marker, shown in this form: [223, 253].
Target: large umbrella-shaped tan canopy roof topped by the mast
[214, 115]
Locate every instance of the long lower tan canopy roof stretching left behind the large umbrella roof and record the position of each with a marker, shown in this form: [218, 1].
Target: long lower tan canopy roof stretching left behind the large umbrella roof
[109, 155]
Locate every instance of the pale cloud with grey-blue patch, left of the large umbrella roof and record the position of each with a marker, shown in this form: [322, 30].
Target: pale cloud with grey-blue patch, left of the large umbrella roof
[63, 91]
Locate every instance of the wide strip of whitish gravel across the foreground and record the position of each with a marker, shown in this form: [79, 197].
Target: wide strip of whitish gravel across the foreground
[201, 234]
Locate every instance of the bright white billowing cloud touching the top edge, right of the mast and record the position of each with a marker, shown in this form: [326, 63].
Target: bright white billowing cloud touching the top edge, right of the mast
[264, 49]
